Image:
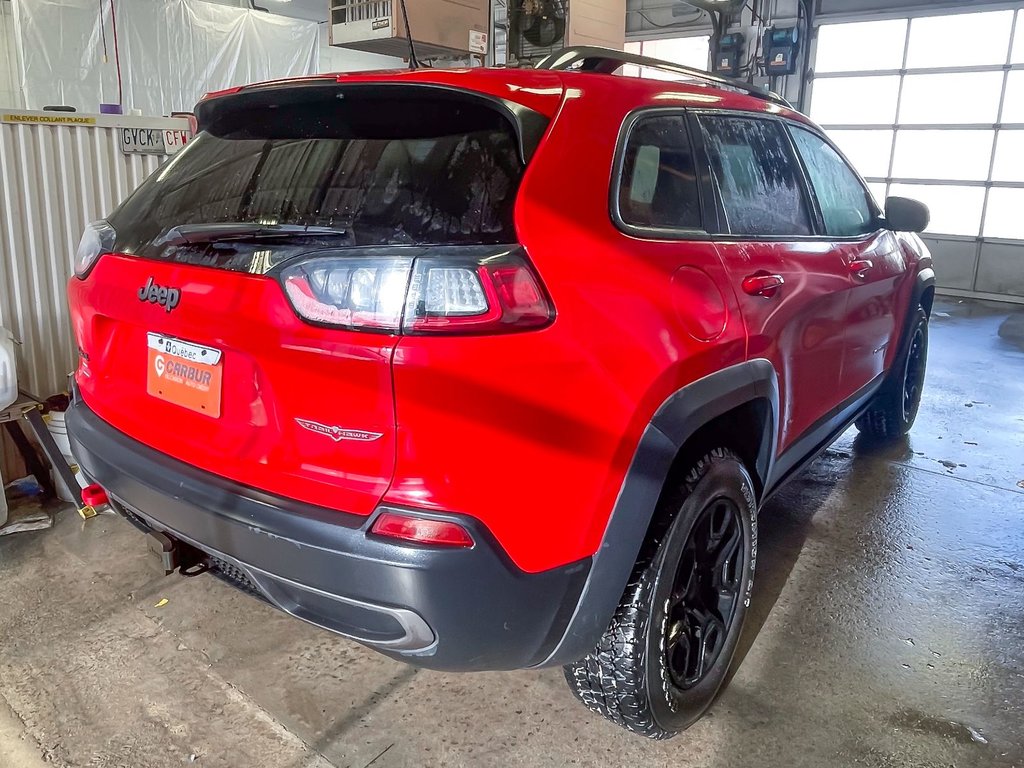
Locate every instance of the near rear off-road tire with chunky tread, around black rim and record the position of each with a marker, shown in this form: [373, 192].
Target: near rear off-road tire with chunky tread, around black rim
[627, 677]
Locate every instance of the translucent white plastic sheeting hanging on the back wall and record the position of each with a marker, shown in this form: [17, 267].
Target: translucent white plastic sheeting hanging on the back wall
[173, 52]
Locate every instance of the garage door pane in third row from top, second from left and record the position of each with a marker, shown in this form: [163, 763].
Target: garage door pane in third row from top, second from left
[960, 156]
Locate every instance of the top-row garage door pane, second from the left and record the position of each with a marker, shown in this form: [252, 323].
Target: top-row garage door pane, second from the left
[961, 40]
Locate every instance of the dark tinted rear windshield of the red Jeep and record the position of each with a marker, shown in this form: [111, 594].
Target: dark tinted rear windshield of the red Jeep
[373, 170]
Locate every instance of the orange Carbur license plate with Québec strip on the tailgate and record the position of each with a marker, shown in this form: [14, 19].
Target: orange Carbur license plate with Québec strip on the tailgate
[186, 374]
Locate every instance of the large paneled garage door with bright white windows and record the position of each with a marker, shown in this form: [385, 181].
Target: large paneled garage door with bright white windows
[933, 108]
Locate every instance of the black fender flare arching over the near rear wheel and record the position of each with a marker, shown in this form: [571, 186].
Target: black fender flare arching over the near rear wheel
[676, 421]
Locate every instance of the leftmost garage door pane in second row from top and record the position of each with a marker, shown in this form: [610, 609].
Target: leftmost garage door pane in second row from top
[856, 101]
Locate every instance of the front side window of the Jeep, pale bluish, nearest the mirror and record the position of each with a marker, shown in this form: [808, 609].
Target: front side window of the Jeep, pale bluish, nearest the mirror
[842, 197]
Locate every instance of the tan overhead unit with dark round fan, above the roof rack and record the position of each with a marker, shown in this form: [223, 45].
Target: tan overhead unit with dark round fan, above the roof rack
[538, 28]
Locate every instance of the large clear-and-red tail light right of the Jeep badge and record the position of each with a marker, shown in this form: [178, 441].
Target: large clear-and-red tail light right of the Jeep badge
[445, 290]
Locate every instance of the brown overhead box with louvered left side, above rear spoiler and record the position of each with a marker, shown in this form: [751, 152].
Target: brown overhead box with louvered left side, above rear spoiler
[441, 29]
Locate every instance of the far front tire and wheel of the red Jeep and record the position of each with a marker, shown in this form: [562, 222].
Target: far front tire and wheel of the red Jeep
[894, 410]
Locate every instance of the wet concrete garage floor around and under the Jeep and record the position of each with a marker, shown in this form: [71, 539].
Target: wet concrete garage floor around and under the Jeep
[887, 630]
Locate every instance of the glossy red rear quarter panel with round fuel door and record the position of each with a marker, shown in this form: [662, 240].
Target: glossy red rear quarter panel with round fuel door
[533, 433]
